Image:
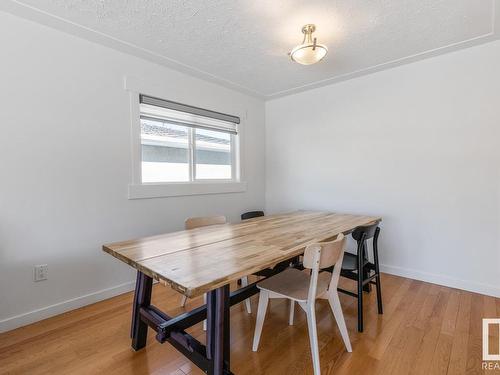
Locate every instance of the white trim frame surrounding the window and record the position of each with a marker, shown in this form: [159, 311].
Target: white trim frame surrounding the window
[139, 190]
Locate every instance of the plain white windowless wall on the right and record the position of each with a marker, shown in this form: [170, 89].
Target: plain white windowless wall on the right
[418, 145]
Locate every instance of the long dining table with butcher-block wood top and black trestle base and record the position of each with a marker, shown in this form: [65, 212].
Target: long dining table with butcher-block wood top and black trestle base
[207, 260]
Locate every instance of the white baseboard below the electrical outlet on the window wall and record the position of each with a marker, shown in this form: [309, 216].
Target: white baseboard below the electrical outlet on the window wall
[61, 307]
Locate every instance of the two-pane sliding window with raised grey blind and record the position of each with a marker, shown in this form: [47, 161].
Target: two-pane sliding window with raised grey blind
[180, 143]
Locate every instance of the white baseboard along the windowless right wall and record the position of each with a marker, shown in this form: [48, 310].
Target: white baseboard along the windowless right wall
[470, 286]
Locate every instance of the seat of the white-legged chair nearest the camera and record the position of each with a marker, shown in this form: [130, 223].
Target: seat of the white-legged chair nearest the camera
[294, 284]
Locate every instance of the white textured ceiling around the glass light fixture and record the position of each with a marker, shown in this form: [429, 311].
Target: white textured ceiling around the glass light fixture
[244, 44]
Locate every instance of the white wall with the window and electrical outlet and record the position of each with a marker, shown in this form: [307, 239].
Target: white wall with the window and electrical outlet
[65, 167]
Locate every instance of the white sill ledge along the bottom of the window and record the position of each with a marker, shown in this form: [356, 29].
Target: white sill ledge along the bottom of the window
[144, 191]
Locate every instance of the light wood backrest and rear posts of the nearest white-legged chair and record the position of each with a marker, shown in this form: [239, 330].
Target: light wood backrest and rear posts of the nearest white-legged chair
[324, 255]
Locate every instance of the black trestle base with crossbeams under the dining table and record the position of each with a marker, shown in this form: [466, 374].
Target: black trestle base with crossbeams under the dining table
[214, 357]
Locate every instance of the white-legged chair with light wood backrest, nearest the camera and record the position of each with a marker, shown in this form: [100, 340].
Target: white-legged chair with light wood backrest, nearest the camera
[300, 287]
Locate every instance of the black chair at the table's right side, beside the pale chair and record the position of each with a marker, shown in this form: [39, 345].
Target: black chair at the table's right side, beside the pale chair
[357, 267]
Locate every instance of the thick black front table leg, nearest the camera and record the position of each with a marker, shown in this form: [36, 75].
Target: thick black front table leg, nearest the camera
[218, 331]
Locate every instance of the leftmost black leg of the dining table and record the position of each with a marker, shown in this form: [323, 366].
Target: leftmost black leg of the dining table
[142, 298]
